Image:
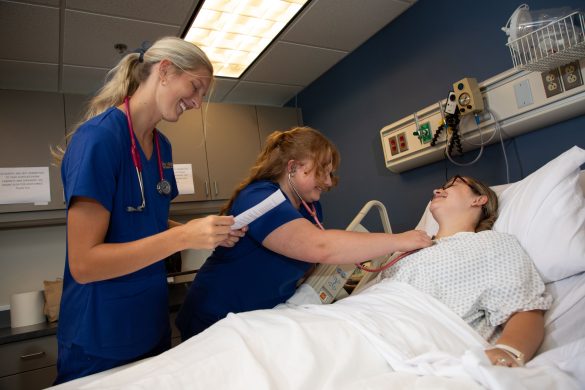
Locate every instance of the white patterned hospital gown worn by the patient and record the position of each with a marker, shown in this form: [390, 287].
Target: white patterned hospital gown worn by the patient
[483, 277]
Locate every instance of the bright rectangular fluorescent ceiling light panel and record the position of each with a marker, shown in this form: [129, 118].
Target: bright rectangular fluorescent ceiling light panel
[233, 33]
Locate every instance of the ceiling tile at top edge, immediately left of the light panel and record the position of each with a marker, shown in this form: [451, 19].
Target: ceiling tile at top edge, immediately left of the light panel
[175, 12]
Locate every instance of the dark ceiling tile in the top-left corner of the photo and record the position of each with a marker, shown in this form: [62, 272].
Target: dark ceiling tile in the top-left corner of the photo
[37, 39]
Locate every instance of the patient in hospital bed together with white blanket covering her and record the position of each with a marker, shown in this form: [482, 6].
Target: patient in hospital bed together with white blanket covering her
[409, 330]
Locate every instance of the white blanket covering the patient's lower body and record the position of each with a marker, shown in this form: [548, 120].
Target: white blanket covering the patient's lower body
[389, 336]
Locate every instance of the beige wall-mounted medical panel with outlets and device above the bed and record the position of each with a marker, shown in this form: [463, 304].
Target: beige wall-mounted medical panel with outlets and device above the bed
[514, 101]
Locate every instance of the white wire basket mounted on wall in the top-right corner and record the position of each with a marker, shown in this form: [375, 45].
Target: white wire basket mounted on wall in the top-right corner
[553, 45]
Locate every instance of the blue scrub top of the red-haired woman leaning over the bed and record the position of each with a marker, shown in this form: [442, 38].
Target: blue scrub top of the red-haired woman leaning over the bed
[247, 276]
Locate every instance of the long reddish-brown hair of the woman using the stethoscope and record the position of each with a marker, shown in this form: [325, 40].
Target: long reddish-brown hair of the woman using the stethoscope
[298, 143]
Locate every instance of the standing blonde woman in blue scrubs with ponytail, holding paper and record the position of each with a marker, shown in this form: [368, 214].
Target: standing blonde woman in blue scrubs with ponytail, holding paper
[118, 179]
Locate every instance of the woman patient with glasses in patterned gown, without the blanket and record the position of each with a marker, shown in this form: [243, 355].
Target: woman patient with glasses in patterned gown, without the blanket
[483, 276]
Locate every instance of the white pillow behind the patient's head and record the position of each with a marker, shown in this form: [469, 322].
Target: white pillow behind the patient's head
[546, 212]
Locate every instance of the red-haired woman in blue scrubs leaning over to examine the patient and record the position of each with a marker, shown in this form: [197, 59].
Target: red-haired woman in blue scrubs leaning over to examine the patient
[264, 267]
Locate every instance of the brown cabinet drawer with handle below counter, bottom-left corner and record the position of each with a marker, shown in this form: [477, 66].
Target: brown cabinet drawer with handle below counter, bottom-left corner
[28, 364]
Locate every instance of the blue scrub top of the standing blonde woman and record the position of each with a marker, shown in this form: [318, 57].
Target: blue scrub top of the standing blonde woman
[124, 317]
